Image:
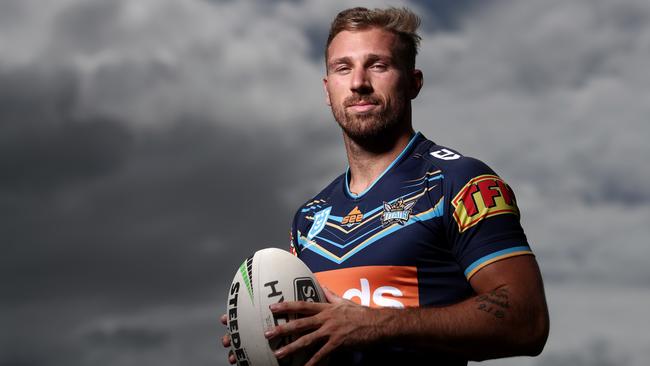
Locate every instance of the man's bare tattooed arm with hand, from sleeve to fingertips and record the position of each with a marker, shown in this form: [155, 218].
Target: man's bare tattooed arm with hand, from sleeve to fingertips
[508, 317]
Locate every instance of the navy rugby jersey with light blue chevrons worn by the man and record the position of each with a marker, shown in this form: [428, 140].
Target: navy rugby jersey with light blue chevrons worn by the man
[414, 237]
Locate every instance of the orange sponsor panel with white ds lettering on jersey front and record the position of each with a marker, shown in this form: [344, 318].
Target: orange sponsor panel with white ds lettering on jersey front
[374, 286]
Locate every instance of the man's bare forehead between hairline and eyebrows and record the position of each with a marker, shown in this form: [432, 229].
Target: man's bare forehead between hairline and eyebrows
[353, 44]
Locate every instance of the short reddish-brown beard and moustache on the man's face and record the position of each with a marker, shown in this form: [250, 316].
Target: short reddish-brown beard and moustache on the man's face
[375, 130]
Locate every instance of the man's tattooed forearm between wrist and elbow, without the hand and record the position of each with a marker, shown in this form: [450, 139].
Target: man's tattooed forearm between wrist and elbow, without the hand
[498, 323]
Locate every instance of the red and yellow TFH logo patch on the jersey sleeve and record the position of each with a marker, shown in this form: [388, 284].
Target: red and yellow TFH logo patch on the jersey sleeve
[482, 197]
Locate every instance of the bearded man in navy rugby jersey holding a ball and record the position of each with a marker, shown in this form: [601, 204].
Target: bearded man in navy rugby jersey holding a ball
[419, 248]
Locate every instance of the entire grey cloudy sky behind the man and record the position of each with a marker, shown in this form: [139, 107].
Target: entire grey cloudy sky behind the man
[148, 146]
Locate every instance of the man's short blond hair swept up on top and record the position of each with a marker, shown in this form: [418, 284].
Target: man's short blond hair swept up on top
[401, 21]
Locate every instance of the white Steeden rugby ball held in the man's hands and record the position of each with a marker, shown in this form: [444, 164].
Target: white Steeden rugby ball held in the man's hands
[271, 275]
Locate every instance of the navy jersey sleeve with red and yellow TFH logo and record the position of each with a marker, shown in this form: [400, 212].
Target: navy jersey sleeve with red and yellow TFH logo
[481, 216]
